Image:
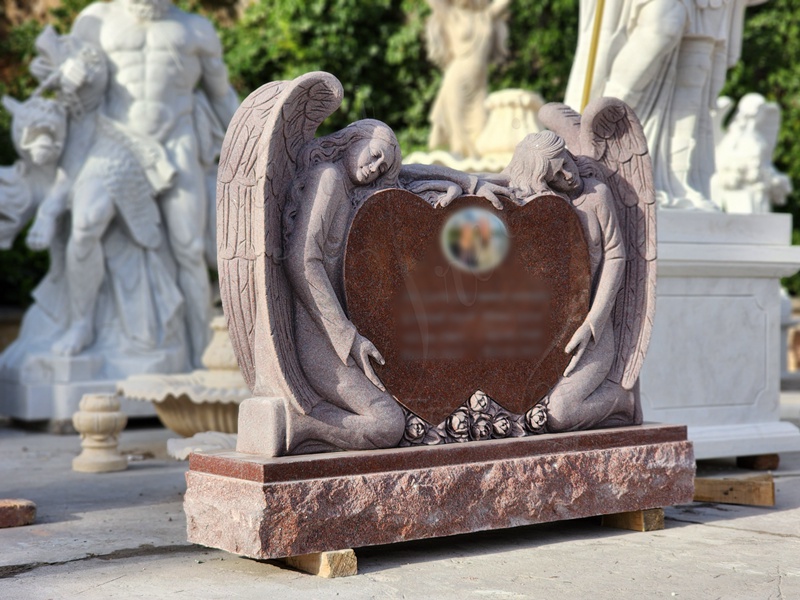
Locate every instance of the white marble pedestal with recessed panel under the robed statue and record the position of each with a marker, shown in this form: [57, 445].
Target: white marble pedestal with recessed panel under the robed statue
[714, 357]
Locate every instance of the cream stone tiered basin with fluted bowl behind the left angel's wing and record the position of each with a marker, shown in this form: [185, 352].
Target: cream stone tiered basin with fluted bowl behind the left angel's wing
[204, 400]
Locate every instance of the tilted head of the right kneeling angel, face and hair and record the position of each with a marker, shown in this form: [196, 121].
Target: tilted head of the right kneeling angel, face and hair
[542, 163]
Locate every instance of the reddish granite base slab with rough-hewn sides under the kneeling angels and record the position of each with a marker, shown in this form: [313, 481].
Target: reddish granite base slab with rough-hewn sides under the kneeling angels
[276, 507]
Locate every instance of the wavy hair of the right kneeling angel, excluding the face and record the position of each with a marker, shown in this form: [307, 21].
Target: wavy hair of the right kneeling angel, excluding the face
[527, 171]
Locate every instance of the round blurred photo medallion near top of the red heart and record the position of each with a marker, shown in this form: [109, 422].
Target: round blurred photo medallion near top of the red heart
[474, 240]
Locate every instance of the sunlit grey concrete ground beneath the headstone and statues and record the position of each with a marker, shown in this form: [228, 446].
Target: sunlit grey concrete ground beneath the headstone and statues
[122, 535]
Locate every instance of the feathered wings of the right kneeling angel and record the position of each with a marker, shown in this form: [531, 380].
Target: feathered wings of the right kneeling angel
[610, 133]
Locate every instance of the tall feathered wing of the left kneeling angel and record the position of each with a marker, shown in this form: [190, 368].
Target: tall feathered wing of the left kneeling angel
[257, 166]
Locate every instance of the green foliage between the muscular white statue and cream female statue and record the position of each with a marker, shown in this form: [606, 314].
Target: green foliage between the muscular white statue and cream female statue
[375, 49]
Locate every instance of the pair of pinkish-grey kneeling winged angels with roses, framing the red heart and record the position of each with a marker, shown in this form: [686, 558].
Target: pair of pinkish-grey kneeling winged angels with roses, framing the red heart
[286, 203]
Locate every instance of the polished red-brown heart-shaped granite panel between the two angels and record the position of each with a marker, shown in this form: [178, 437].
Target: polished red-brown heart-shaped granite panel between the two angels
[467, 297]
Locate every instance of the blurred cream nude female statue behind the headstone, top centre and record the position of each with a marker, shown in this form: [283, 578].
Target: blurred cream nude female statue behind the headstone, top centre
[464, 37]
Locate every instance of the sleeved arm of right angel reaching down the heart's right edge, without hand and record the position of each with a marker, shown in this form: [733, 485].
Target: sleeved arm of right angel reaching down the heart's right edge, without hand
[612, 267]
